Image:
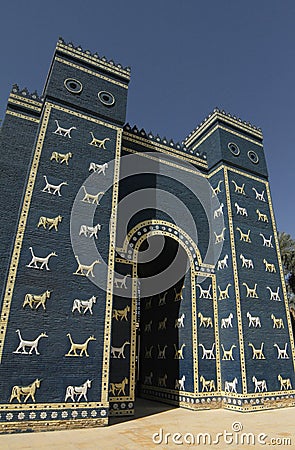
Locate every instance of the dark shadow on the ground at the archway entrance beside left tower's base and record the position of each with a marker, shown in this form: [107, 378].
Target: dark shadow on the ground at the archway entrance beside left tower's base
[143, 408]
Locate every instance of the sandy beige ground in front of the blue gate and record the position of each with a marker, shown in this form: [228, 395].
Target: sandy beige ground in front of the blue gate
[137, 433]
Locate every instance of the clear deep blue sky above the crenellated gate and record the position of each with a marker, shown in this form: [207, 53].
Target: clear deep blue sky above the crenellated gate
[186, 58]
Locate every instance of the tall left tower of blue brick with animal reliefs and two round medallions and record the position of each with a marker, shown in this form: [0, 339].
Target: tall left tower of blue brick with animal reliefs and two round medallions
[48, 334]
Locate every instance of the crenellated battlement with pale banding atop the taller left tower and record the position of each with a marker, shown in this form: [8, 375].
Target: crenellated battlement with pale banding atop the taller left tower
[92, 58]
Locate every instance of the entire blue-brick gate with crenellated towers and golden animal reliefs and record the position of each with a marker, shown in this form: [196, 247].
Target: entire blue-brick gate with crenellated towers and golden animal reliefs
[132, 265]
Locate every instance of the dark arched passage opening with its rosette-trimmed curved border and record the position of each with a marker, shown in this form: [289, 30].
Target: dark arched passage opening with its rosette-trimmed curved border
[167, 324]
